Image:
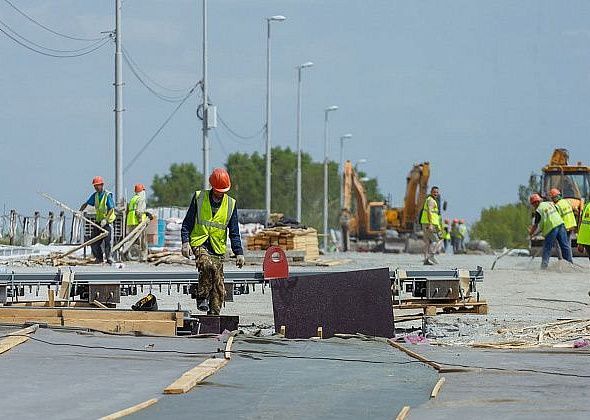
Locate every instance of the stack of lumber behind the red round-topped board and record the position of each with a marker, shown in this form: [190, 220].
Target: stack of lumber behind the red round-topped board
[290, 239]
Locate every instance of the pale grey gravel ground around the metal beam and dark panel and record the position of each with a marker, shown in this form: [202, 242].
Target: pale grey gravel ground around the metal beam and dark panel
[518, 292]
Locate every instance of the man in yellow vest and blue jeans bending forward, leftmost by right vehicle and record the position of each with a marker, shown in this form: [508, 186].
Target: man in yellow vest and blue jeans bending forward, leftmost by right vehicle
[550, 224]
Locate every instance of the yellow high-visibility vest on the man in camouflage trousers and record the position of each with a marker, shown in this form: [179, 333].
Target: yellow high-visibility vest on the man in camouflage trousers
[209, 226]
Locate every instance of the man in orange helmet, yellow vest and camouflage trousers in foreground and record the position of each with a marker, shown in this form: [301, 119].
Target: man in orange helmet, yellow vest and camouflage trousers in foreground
[204, 231]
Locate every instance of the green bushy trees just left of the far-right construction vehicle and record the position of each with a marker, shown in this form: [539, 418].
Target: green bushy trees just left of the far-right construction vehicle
[503, 226]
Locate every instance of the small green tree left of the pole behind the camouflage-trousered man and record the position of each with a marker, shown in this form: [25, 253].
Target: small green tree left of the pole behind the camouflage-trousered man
[177, 187]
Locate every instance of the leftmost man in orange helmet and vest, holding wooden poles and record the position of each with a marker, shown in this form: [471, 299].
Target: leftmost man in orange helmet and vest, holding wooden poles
[104, 205]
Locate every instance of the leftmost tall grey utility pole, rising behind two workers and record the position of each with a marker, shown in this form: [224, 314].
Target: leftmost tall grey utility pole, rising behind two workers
[118, 108]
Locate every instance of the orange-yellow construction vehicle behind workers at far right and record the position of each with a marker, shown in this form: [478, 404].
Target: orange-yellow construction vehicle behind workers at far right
[572, 180]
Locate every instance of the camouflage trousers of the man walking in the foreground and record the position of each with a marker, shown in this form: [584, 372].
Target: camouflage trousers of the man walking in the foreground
[211, 279]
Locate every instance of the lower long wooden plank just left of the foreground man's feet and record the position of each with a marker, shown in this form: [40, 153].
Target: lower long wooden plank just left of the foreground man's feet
[147, 327]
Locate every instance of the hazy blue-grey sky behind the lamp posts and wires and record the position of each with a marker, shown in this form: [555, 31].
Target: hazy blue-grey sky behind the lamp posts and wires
[483, 90]
